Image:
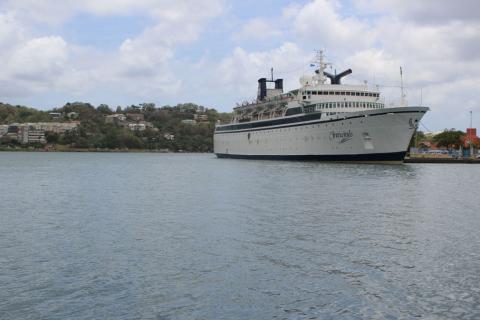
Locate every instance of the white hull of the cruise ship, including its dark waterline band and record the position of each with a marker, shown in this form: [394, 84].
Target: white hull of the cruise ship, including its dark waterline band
[373, 135]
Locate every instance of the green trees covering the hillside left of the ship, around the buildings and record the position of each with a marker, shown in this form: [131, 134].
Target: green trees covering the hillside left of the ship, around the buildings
[168, 131]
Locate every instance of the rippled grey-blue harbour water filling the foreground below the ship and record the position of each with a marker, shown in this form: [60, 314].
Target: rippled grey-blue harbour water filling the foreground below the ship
[158, 236]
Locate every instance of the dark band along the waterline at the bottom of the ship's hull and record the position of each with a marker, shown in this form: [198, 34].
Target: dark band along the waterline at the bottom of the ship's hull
[391, 156]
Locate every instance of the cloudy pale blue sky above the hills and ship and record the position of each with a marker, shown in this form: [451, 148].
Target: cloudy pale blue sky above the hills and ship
[212, 52]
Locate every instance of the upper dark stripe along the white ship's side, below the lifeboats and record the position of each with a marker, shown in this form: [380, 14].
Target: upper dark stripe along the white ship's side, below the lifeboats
[299, 121]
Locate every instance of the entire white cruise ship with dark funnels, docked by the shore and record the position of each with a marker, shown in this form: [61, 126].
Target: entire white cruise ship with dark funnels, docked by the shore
[323, 120]
